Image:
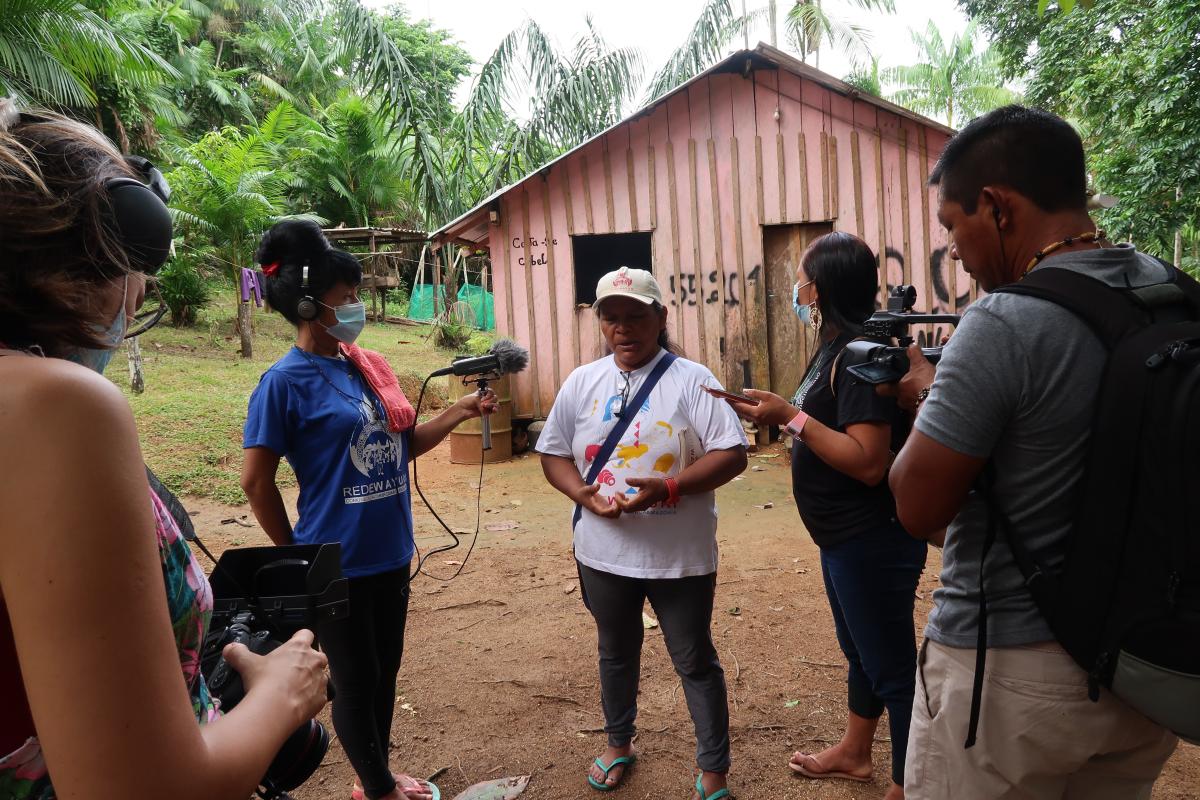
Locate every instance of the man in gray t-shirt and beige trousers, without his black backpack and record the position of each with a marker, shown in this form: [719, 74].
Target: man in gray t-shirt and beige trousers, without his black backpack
[1016, 392]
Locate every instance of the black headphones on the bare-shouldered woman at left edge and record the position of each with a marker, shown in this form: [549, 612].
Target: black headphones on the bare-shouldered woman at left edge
[140, 215]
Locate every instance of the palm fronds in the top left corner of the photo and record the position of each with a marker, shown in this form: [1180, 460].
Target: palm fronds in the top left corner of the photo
[53, 53]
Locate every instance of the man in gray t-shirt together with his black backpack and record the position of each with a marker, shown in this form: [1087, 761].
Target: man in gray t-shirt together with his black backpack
[1057, 634]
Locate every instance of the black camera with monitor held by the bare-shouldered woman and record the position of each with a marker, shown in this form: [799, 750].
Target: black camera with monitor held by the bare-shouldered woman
[261, 598]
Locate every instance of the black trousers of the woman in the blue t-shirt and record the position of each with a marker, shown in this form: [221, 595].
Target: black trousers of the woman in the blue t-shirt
[364, 654]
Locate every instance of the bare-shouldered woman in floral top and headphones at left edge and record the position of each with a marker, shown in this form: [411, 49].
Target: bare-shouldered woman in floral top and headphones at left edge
[103, 607]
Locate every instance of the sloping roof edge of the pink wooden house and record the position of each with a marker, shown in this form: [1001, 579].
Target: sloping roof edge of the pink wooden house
[741, 62]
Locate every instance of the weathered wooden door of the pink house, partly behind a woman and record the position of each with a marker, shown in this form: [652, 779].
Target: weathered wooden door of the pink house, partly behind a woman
[789, 344]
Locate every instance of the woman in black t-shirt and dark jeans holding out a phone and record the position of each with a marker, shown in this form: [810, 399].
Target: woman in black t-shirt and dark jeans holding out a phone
[844, 436]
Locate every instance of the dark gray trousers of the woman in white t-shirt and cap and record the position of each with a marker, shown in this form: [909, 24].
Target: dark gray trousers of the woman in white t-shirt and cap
[685, 607]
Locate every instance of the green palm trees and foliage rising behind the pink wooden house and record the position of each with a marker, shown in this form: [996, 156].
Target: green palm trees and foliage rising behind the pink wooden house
[261, 110]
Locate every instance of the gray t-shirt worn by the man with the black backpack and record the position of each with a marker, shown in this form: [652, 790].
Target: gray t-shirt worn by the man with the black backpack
[1017, 384]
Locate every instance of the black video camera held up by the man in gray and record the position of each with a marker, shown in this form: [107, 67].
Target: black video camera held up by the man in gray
[881, 364]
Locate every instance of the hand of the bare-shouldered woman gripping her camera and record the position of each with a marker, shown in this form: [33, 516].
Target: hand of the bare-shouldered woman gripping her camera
[298, 672]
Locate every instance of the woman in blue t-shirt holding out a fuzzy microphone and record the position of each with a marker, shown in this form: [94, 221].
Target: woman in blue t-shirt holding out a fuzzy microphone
[337, 413]
